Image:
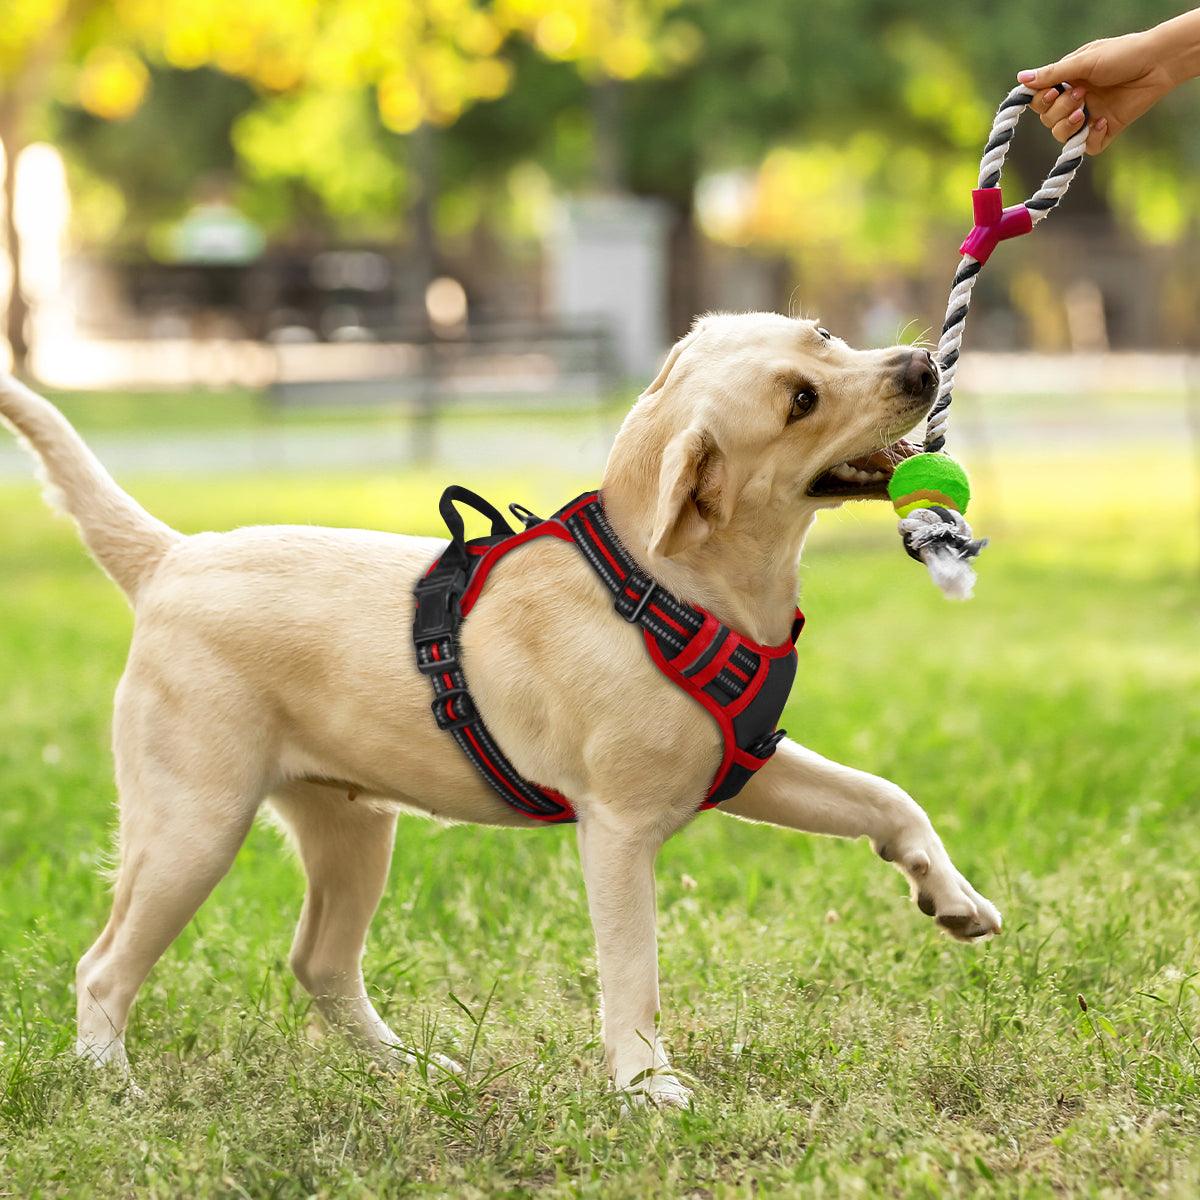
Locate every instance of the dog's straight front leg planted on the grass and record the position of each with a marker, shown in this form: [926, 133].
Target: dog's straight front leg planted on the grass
[619, 871]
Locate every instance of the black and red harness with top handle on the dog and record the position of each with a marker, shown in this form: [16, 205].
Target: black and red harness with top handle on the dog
[743, 686]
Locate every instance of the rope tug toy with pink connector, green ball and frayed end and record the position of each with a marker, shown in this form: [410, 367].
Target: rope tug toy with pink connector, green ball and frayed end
[931, 491]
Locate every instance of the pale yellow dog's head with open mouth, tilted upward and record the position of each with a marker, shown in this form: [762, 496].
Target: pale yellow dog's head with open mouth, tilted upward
[758, 418]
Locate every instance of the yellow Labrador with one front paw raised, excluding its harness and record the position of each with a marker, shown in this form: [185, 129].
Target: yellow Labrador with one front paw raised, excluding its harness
[277, 665]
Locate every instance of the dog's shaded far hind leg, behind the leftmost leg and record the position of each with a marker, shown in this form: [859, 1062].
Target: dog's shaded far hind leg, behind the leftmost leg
[346, 849]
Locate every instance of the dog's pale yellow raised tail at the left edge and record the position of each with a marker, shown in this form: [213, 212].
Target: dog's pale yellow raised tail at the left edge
[121, 535]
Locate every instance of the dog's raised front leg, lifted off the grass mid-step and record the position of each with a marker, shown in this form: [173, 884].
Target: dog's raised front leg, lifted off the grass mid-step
[800, 790]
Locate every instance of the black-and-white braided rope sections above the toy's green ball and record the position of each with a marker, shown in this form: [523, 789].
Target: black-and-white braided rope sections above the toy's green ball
[1043, 202]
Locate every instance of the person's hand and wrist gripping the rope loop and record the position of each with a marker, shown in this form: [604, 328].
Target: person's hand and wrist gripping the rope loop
[1119, 79]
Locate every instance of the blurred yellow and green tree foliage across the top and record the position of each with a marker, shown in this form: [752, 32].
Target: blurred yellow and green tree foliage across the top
[851, 129]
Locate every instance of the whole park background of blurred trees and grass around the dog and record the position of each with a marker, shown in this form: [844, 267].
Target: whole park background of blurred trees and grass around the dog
[310, 262]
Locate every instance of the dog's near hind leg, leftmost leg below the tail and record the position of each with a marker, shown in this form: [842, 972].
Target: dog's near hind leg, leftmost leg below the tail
[189, 794]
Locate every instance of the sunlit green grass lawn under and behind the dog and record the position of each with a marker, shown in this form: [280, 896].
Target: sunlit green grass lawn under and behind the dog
[837, 1045]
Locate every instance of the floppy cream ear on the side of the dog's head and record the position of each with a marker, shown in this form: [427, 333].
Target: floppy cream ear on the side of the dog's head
[693, 494]
